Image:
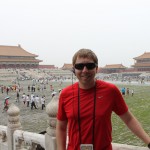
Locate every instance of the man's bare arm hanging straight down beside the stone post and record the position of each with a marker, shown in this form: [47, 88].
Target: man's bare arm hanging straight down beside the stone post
[61, 134]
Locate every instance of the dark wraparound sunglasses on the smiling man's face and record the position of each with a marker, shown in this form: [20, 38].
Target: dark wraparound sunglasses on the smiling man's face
[89, 66]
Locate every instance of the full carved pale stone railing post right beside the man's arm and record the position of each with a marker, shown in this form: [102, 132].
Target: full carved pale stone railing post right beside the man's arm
[50, 136]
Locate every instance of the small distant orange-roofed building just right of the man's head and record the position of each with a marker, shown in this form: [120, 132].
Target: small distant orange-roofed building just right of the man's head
[113, 68]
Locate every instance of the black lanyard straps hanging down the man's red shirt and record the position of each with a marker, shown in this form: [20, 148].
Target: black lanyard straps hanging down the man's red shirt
[79, 121]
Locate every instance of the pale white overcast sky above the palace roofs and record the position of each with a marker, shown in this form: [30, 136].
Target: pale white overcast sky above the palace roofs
[116, 30]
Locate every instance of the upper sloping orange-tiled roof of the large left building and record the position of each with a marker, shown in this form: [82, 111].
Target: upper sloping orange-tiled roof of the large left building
[14, 51]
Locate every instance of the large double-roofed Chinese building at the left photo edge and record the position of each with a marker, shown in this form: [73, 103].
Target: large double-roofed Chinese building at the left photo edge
[17, 57]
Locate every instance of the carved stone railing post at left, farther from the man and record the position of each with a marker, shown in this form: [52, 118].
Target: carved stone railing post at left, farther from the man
[13, 124]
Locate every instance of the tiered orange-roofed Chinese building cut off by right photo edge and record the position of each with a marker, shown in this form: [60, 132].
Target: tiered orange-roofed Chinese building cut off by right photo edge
[142, 62]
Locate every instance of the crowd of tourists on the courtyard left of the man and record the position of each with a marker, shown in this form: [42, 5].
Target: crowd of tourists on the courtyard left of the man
[33, 96]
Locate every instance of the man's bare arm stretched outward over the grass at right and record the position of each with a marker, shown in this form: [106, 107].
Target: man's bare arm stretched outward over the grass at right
[134, 125]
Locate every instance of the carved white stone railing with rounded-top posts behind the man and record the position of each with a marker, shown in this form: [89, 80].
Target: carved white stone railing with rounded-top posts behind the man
[13, 138]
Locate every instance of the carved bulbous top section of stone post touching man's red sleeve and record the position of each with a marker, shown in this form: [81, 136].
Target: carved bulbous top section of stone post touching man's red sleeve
[51, 110]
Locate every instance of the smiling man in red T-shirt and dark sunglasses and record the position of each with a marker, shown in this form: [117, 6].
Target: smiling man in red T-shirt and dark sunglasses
[86, 107]
